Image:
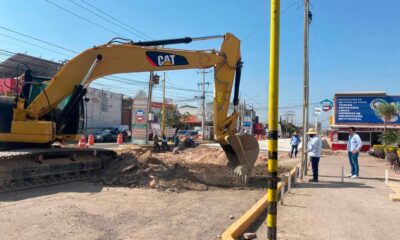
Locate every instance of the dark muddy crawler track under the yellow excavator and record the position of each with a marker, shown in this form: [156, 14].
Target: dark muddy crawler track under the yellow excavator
[30, 168]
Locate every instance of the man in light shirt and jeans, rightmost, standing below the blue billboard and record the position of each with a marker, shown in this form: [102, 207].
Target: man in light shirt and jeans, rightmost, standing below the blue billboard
[354, 146]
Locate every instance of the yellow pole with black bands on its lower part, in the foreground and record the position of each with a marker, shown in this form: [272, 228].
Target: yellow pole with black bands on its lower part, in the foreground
[273, 101]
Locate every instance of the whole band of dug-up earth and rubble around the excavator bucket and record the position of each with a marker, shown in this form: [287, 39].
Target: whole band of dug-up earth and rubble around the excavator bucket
[197, 169]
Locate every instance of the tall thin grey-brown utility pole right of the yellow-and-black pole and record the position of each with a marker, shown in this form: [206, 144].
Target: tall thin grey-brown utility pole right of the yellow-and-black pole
[307, 21]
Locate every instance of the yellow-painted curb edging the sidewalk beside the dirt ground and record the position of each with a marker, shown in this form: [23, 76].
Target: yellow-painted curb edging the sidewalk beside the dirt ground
[237, 229]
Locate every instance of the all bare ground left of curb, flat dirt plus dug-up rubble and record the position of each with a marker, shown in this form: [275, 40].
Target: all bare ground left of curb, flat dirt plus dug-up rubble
[194, 197]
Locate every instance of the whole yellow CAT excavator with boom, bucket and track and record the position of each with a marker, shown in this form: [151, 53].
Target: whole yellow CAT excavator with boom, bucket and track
[49, 111]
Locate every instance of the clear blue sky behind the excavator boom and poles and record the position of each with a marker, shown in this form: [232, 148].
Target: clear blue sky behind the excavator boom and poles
[354, 45]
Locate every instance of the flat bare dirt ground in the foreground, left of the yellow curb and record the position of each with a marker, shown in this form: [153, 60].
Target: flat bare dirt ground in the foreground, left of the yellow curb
[84, 210]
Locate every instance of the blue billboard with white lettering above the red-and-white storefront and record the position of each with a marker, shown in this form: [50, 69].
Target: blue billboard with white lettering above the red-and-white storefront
[362, 109]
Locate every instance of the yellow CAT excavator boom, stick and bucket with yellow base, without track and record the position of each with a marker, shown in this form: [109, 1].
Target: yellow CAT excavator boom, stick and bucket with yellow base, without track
[73, 78]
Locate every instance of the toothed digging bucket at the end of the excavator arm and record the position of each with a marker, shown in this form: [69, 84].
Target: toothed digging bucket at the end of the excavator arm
[242, 153]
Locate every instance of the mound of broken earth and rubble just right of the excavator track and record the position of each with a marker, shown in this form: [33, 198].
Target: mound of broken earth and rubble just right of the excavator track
[145, 171]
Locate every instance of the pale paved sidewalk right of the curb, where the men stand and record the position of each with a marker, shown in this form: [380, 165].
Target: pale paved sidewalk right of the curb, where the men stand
[356, 209]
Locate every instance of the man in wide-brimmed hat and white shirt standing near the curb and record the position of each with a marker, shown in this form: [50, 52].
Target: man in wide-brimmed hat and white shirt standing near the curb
[314, 151]
